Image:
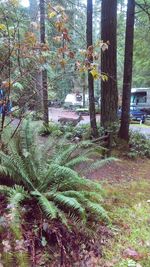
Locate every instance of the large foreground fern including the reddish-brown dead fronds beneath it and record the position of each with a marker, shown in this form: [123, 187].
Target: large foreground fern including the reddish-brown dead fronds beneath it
[38, 178]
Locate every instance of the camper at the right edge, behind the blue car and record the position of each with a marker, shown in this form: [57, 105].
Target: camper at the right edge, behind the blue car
[140, 97]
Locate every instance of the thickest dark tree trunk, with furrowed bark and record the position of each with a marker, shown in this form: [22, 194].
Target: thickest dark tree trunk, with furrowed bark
[109, 93]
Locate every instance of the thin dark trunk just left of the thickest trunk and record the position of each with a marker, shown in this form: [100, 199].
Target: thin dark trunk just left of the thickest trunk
[89, 36]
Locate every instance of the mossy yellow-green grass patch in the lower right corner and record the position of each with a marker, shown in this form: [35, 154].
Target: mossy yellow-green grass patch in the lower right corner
[129, 210]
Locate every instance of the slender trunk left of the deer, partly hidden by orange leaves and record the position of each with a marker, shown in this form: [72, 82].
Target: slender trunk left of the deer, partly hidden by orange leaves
[44, 72]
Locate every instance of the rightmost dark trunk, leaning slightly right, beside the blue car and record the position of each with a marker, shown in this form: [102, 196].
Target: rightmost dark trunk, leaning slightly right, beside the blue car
[127, 80]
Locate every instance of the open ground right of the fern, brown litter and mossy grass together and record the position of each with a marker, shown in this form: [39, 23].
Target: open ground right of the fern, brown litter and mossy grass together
[127, 184]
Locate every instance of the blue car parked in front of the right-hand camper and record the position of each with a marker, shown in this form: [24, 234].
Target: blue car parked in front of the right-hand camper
[135, 114]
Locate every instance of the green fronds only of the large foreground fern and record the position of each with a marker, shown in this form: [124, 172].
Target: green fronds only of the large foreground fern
[45, 174]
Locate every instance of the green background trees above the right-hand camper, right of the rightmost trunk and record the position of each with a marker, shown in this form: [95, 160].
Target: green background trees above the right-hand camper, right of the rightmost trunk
[141, 62]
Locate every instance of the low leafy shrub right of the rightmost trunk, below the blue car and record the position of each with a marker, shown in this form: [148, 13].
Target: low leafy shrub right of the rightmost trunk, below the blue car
[139, 145]
